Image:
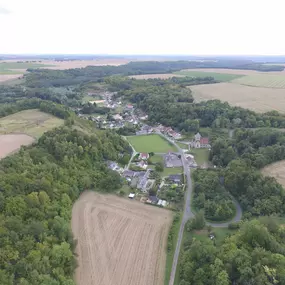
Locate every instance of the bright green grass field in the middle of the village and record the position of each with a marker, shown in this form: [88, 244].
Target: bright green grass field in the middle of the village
[151, 143]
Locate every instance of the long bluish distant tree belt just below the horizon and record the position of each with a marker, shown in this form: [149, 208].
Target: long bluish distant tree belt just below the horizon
[56, 78]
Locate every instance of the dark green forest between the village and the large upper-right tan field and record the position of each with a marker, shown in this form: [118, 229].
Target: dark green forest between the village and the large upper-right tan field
[170, 103]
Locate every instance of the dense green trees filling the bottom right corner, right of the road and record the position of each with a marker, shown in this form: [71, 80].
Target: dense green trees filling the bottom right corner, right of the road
[255, 254]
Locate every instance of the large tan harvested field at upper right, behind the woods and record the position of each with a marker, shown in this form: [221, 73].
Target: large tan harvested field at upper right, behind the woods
[254, 98]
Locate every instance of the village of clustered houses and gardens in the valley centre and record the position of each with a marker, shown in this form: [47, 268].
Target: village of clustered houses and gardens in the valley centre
[142, 178]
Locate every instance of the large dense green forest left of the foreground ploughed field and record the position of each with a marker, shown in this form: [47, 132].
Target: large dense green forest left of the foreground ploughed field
[38, 187]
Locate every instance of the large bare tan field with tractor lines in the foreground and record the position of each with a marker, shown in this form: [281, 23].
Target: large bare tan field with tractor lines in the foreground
[119, 241]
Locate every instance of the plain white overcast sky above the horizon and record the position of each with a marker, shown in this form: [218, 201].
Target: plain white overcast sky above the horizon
[177, 27]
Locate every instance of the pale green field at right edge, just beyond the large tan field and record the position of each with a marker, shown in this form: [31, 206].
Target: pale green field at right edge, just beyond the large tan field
[263, 80]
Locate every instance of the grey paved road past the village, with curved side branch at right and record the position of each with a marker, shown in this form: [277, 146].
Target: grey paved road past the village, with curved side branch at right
[187, 214]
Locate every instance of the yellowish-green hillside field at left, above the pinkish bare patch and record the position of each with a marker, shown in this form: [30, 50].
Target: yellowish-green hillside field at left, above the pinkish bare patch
[31, 122]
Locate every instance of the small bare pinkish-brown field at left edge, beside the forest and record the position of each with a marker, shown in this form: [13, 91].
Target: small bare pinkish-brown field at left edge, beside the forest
[11, 143]
